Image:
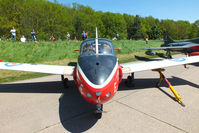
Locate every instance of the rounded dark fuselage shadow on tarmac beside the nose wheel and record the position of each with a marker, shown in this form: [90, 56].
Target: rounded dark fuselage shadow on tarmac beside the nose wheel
[76, 114]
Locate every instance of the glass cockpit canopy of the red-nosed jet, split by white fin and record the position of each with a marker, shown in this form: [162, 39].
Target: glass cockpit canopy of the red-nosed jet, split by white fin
[105, 47]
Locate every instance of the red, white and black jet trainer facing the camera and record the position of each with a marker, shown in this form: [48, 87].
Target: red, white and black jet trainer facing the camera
[97, 73]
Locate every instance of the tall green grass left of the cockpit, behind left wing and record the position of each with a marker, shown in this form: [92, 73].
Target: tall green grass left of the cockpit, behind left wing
[31, 52]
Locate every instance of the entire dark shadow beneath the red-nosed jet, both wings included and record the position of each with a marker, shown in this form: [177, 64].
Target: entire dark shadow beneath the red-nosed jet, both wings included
[76, 115]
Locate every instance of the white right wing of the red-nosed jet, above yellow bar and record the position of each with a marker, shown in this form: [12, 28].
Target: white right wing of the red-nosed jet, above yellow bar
[142, 66]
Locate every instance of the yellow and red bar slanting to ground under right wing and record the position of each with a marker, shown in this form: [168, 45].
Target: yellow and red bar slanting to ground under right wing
[162, 77]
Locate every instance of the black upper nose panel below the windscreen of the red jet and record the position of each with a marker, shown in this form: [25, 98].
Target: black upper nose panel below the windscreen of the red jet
[97, 69]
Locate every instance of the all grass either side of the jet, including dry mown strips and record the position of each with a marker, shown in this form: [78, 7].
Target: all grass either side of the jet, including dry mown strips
[59, 53]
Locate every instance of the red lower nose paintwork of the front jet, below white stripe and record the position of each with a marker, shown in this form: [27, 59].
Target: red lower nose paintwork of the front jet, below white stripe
[85, 88]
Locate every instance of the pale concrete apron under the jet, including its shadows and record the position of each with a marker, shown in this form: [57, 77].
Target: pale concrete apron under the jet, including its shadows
[42, 105]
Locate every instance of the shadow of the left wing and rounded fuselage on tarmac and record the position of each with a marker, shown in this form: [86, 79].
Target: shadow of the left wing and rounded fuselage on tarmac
[76, 114]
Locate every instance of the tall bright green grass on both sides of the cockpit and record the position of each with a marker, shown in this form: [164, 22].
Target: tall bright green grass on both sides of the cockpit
[31, 52]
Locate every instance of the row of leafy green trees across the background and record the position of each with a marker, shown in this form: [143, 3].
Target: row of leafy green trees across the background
[52, 18]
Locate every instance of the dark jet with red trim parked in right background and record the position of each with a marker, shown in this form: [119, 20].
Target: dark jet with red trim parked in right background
[188, 47]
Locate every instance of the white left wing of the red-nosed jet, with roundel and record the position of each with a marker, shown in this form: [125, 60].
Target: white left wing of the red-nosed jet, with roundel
[51, 69]
